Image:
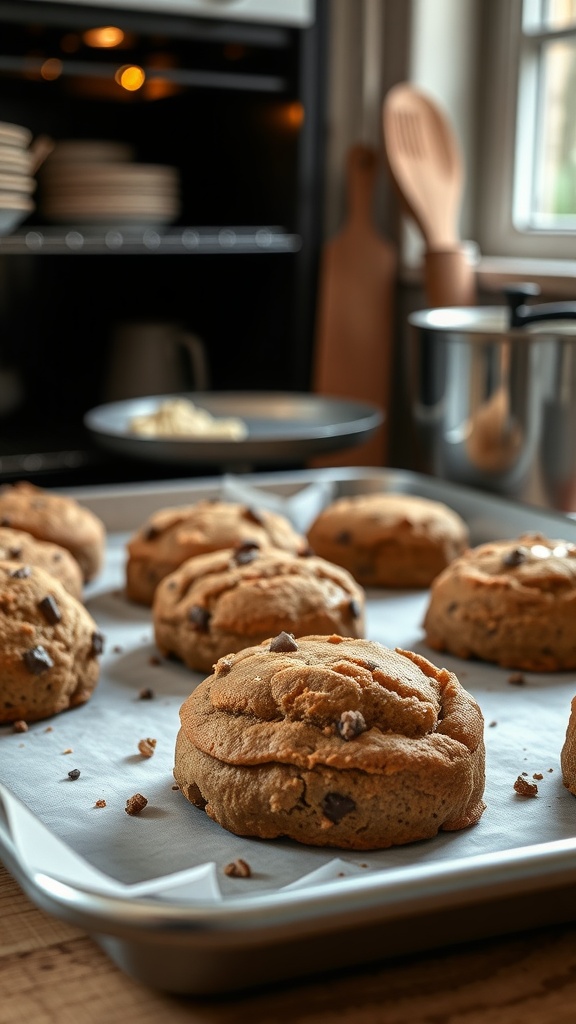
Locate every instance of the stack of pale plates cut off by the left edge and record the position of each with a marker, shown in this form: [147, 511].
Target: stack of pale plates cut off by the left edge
[17, 182]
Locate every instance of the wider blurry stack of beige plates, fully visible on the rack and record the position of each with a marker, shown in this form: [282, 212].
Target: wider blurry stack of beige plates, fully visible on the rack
[96, 185]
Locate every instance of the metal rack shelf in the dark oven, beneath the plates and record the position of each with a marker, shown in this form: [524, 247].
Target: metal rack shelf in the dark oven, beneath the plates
[202, 241]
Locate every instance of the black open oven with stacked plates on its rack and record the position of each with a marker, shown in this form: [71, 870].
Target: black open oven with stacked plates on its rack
[233, 103]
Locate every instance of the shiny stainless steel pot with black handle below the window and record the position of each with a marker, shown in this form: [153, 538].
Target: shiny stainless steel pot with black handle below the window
[493, 398]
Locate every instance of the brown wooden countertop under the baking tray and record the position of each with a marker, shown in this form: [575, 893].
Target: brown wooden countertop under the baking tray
[52, 973]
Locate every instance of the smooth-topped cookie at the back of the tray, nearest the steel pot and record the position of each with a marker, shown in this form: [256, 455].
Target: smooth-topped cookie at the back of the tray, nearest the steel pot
[386, 540]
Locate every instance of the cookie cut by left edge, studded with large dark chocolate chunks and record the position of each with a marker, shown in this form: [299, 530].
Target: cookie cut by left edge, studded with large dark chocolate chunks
[50, 646]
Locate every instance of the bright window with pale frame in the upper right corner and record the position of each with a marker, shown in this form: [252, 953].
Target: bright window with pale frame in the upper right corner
[527, 157]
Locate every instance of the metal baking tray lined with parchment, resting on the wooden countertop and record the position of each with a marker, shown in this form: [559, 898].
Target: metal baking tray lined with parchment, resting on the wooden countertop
[304, 911]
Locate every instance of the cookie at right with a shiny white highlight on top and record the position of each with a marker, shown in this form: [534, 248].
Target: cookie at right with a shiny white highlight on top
[508, 602]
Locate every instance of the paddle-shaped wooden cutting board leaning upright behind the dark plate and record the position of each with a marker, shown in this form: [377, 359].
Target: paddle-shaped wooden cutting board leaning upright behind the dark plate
[354, 330]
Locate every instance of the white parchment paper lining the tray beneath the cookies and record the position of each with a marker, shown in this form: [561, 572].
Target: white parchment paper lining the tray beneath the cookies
[525, 731]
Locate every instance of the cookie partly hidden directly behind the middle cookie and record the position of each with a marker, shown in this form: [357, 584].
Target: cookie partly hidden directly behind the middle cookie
[171, 536]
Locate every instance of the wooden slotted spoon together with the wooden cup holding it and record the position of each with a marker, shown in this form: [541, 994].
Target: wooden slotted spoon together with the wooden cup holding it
[427, 167]
